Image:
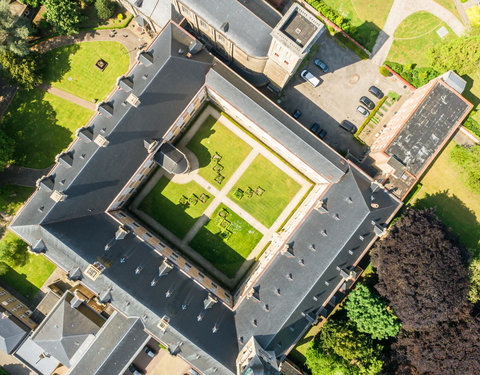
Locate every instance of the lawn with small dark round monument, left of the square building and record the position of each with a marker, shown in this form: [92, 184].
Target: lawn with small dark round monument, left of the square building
[72, 68]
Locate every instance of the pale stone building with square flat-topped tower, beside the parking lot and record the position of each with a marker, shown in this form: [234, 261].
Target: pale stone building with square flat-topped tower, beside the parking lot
[264, 45]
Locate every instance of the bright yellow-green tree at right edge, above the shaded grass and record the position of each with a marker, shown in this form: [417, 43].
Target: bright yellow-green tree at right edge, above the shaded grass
[468, 159]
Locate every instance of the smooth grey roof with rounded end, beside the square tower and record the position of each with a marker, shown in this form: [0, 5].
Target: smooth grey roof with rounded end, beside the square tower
[245, 29]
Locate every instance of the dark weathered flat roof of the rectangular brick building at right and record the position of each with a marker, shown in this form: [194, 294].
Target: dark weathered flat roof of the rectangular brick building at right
[428, 127]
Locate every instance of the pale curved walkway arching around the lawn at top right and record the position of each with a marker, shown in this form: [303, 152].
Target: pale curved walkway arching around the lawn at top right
[400, 10]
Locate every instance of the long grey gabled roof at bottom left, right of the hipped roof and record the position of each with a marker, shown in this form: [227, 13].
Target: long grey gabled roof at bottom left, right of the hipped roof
[114, 348]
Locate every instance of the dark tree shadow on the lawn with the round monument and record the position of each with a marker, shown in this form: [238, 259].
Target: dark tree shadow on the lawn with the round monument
[56, 63]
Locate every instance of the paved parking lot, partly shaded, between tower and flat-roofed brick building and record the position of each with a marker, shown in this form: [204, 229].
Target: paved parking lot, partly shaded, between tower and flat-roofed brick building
[337, 97]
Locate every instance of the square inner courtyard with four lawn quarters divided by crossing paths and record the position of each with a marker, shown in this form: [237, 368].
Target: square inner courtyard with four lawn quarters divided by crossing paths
[224, 211]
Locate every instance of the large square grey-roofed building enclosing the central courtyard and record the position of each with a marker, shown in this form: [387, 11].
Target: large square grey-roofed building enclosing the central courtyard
[80, 218]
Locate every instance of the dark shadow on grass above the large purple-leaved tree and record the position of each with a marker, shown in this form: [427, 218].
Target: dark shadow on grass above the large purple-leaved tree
[457, 216]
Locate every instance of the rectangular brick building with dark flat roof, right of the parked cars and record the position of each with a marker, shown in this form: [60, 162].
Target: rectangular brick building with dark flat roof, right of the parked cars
[418, 131]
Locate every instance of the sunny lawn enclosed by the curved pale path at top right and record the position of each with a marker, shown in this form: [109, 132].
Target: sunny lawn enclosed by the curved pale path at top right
[414, 37]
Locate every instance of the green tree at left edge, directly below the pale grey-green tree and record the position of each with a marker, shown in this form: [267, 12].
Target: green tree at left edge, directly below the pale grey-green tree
[23, 71]
